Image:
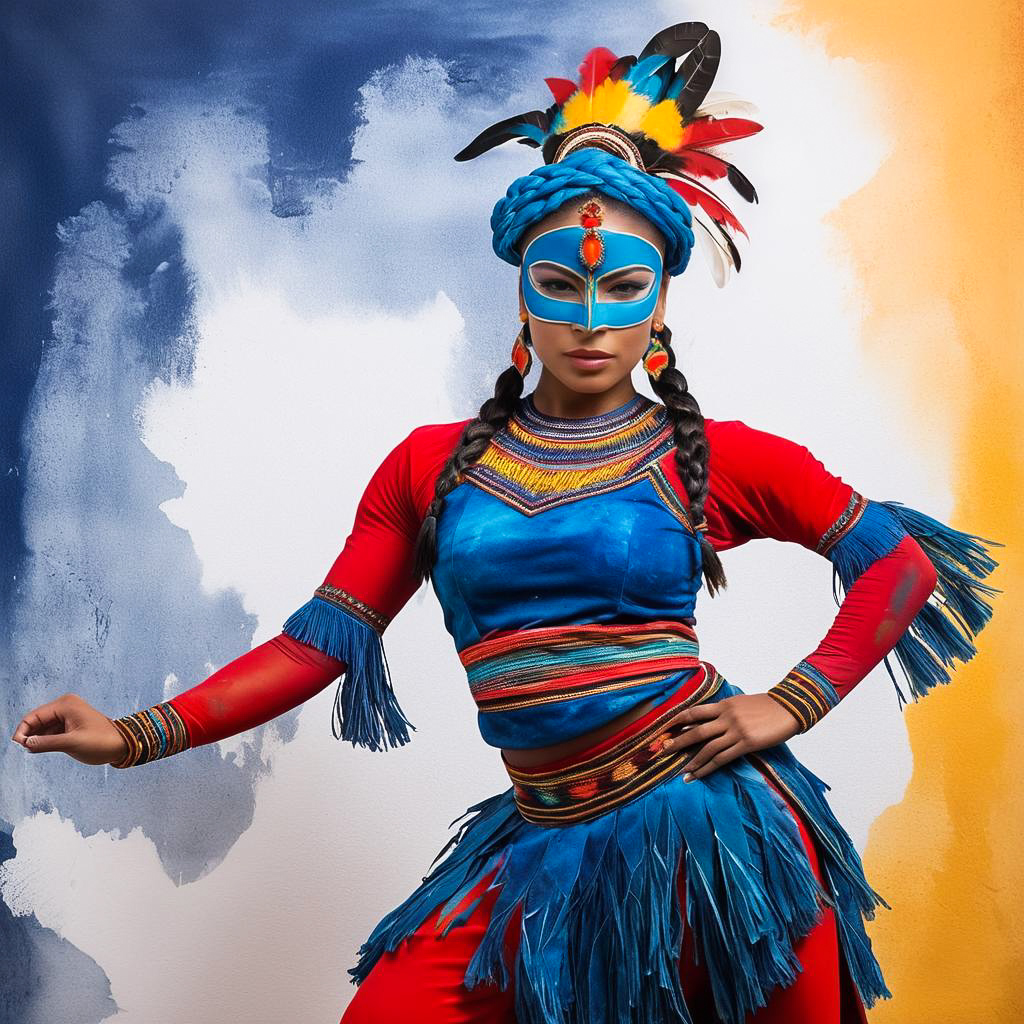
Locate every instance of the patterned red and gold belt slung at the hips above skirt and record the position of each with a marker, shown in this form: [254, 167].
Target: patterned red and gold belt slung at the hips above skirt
[615, 772]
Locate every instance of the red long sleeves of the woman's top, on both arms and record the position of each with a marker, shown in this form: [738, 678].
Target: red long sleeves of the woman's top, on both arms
[761, 486]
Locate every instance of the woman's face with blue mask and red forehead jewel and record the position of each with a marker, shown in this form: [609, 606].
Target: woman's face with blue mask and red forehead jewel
[591, 296]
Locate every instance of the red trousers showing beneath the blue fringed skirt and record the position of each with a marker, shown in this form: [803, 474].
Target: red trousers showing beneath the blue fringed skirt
[422, 979]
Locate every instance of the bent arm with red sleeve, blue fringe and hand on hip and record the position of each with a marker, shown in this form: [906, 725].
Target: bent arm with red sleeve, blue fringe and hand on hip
[889, 560]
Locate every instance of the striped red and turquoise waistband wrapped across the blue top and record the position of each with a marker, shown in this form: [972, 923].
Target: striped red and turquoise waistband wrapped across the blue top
[560, 663]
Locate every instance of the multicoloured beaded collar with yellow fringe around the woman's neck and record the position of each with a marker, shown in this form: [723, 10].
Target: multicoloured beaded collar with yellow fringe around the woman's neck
[538, 461]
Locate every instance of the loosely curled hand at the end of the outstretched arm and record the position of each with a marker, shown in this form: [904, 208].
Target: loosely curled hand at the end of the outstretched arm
[73, 727]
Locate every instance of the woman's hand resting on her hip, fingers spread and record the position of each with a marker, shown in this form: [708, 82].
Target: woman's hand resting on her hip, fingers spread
[730, 729]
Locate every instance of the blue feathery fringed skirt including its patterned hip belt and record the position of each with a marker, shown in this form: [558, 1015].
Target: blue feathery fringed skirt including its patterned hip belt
[587, 851]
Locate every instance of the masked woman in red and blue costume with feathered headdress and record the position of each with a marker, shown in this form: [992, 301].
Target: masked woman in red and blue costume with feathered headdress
[661, 857]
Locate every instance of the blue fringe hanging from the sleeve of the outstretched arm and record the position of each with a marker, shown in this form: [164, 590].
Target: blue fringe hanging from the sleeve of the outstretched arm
[366, 710]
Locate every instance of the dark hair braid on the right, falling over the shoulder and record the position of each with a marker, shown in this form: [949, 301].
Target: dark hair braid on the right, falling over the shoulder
[692, 454]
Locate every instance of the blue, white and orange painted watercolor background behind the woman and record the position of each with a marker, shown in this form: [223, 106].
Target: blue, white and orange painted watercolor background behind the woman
[240, 265]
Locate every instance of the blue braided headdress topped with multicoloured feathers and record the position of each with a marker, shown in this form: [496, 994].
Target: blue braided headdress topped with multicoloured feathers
[641, 130]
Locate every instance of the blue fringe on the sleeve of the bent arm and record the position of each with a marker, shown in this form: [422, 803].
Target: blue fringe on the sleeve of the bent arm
[944, 631]
